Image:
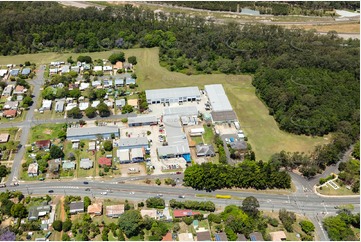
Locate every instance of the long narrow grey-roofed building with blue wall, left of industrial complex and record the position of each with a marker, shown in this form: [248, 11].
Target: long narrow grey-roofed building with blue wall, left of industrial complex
[92, 133]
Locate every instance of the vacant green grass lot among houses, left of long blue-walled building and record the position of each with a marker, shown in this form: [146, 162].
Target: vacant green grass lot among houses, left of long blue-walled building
[45, 131]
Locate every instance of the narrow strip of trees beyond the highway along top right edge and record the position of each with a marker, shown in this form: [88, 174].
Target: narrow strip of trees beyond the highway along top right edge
[318, 8]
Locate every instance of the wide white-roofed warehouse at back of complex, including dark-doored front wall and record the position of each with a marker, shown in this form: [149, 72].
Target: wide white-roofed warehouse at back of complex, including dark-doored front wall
[173, 95]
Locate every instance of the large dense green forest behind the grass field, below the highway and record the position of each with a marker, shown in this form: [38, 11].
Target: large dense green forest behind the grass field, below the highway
[309, 82]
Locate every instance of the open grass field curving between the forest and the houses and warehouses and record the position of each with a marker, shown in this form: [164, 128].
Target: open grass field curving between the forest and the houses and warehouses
[262, 130]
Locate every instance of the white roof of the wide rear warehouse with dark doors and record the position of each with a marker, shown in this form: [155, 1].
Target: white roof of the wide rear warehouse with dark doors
[168, 93]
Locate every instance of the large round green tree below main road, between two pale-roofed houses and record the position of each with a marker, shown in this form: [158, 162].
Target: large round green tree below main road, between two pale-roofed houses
[130, 222]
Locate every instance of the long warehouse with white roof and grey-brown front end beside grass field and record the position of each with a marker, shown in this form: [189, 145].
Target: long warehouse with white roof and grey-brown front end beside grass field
[222, 110]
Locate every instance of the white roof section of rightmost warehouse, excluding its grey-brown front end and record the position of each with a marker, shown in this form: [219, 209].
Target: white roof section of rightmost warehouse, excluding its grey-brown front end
[218, 98]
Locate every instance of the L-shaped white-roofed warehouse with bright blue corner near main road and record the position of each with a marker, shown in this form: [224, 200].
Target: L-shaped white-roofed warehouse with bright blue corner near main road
[176, 138]
